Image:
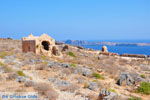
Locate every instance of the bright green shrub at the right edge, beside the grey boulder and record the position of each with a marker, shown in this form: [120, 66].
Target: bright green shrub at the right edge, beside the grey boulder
[144, 88]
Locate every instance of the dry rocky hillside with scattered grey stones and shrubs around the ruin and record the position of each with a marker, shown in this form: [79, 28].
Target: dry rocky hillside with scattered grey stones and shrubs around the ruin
[80, 74]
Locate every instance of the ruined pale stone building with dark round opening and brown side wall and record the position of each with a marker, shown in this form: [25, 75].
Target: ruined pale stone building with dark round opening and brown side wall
[43, 44]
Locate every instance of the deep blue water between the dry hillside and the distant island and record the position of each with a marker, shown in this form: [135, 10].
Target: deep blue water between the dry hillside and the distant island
[124, 49]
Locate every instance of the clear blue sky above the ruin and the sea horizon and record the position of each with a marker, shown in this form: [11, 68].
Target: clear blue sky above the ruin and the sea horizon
[76, 19]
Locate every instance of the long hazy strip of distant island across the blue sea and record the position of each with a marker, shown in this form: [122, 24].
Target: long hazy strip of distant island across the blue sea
[83, 42]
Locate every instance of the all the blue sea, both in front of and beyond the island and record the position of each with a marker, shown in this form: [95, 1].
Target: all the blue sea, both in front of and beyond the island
[124, 49]
